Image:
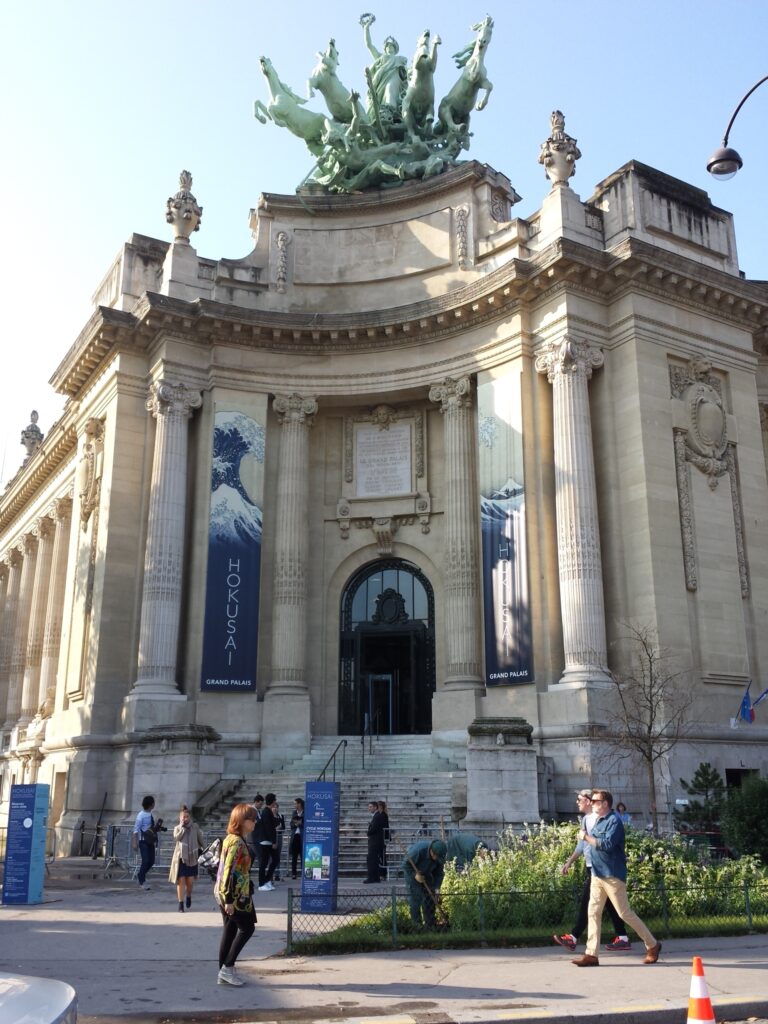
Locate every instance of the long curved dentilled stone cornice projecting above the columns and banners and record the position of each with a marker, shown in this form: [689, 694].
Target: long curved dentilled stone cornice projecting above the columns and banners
[568, 266]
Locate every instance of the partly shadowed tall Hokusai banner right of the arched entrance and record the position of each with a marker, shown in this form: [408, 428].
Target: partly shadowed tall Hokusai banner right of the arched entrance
[505, 573]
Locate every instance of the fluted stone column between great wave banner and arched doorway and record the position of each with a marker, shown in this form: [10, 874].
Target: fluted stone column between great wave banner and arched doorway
[296, 415]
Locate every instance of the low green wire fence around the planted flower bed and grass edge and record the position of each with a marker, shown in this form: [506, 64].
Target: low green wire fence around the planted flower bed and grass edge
[382, 919]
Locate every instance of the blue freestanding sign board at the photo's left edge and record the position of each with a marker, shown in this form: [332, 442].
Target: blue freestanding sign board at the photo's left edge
[25, 850]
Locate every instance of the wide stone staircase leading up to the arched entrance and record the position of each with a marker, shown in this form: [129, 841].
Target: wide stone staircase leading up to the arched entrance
[423, 793]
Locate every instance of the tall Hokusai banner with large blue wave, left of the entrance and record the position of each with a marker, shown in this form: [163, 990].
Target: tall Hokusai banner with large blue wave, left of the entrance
[230, 643]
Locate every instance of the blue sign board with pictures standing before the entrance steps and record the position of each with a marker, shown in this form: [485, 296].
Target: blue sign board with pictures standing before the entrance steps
[321, 856]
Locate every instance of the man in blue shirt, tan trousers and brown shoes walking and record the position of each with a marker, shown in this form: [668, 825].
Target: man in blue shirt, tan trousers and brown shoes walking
[610, 881]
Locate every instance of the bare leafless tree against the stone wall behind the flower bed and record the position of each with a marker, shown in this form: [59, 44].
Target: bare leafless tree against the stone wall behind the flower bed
[653, 707]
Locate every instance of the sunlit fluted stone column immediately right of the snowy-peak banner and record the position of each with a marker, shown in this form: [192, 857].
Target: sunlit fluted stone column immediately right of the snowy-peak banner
[569, 366]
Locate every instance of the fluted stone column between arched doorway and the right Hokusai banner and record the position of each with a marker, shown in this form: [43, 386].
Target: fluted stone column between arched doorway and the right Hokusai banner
[462, 573]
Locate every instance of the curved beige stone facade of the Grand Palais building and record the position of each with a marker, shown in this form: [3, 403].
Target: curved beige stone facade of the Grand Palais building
[356, 336]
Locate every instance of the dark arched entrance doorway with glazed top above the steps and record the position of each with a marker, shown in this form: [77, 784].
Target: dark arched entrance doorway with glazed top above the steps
[388, 668]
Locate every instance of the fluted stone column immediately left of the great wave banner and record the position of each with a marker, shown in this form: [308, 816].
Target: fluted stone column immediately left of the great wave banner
[172, 405]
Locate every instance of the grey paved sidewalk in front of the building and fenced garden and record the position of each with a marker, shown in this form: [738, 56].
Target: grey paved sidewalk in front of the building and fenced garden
[131, 954]
